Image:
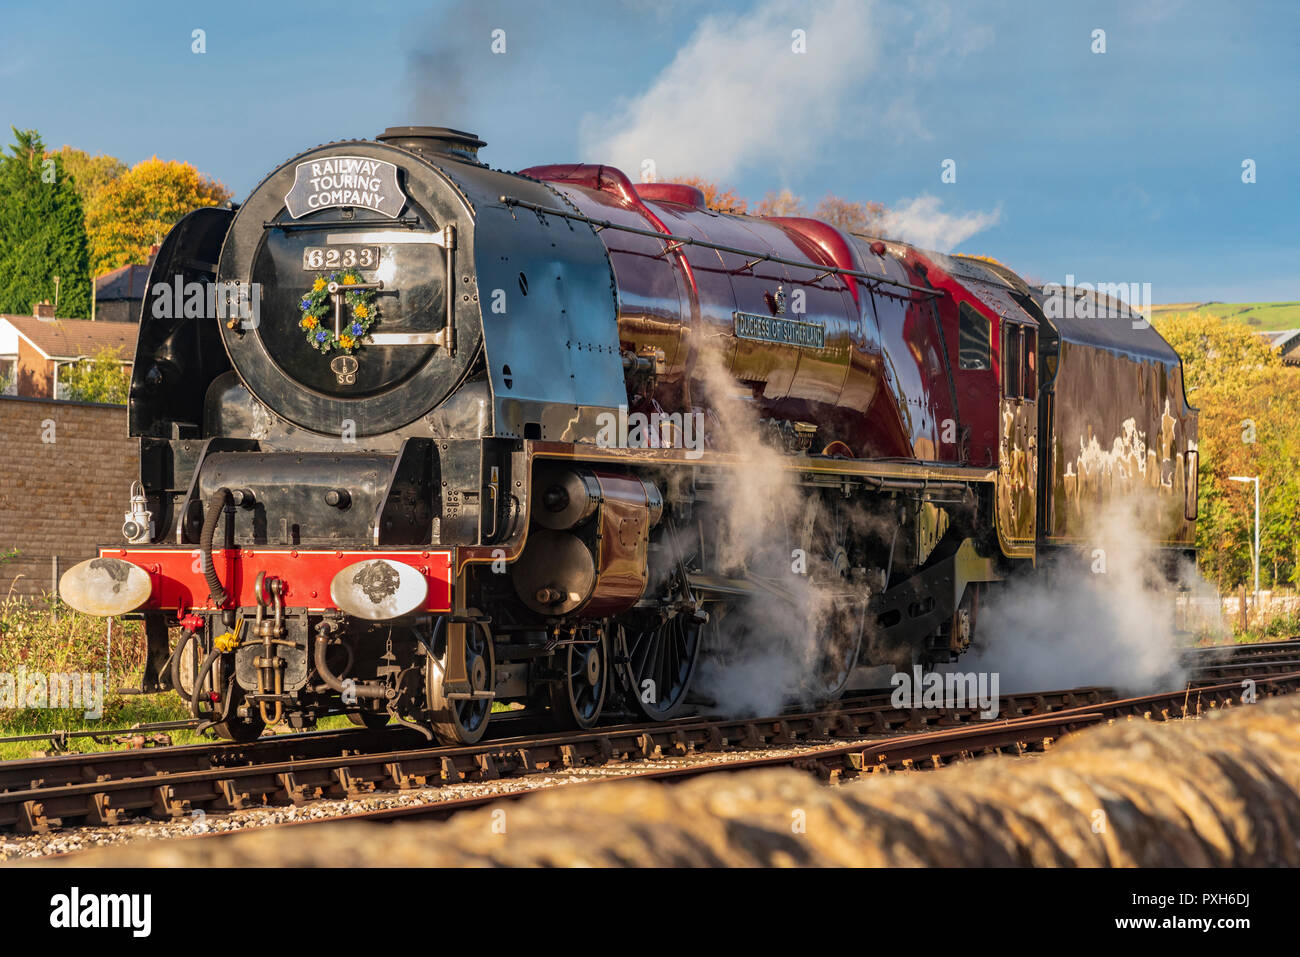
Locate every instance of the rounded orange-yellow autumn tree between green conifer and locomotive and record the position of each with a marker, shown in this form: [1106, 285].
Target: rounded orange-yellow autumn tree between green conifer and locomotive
[138, 209]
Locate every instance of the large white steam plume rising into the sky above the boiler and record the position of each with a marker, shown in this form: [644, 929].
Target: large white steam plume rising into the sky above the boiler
[738, 96]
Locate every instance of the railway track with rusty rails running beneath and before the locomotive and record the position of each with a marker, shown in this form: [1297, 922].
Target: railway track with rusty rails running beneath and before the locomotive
[115, 787]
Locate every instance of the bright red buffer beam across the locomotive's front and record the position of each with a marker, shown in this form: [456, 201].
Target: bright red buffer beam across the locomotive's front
[179, 583]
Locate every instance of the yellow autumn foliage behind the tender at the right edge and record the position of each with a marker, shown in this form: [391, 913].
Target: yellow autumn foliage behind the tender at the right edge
[1250, 405]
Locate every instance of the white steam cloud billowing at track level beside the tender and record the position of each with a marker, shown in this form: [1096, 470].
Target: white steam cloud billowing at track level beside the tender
[1106, 618]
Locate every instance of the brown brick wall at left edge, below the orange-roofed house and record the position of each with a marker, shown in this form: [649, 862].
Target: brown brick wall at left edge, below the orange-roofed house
[63, 497]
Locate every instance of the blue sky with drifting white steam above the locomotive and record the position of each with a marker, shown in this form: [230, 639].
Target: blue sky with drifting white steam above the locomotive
[1117, 167]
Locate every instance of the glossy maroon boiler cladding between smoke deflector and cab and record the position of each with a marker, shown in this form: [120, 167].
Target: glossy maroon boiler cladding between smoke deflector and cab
[881, 387]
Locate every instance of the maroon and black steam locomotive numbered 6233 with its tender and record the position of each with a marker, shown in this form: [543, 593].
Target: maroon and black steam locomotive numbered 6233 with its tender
[391, 475]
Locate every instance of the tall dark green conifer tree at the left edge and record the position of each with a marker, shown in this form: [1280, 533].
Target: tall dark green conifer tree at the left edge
[42, 232]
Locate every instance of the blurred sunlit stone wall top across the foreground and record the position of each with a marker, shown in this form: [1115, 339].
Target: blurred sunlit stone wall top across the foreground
[1212, 793]
